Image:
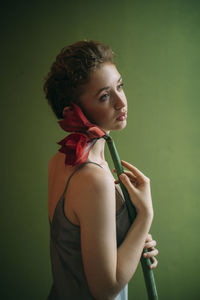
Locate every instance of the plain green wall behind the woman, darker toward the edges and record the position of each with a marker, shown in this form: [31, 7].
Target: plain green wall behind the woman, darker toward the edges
[157, 46]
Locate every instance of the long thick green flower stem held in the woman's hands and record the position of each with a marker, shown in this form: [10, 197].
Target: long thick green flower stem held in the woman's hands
[145, 262]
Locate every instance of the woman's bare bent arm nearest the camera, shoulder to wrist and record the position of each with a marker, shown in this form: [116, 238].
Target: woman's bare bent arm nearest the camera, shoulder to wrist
[107, 268]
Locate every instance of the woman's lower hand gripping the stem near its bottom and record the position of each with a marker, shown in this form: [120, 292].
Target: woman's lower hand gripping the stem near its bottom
[152, 251]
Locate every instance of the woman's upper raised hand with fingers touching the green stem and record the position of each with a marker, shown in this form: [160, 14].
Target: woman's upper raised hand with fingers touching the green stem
[138, 187]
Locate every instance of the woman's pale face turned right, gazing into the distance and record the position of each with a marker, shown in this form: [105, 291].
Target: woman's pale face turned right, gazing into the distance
[103, 100]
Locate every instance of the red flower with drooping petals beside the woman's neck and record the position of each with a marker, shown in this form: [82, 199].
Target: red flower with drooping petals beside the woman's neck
[77, 145]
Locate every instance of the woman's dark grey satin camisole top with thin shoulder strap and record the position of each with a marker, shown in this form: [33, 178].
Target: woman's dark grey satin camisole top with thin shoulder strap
[69, 280]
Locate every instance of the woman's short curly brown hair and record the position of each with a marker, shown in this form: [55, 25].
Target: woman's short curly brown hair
[71, 71]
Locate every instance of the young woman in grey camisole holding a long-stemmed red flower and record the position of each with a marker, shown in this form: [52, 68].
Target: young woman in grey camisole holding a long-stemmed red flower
[95, 250]
